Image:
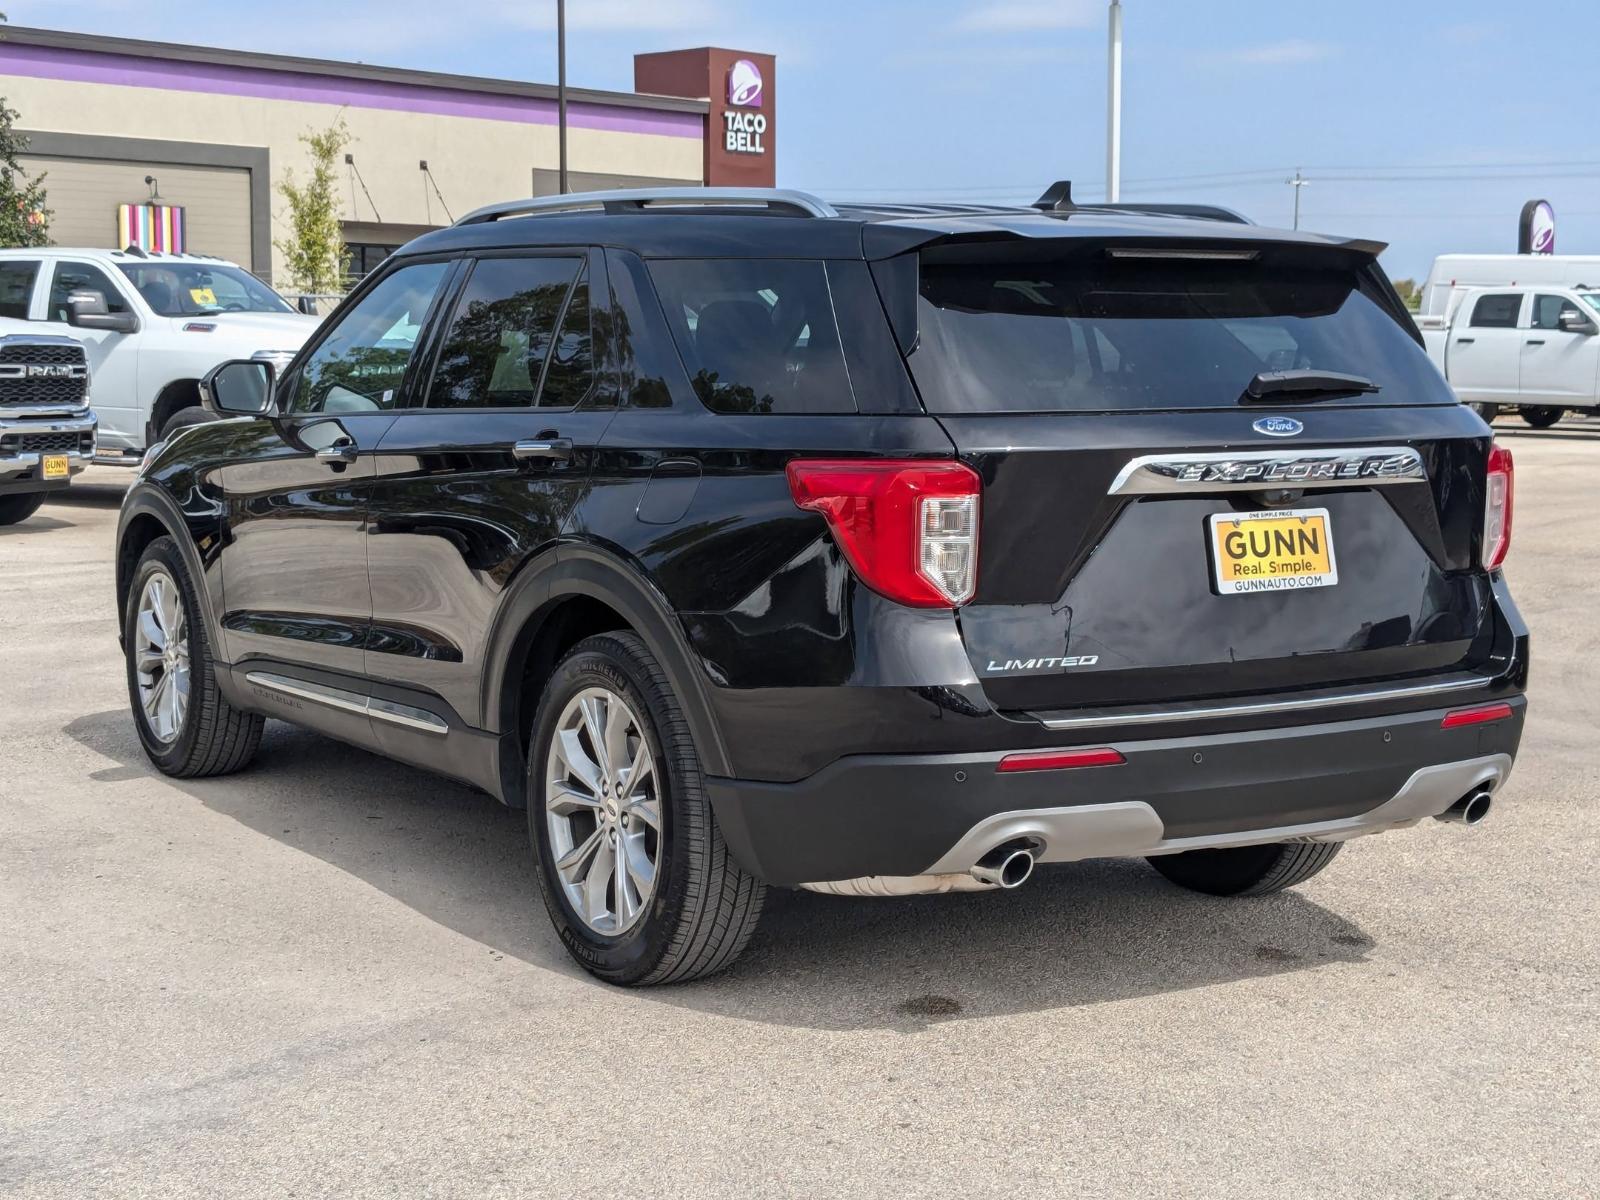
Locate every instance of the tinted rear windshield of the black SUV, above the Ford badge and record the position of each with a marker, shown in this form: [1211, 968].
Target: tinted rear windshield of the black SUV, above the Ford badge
[1106, 334]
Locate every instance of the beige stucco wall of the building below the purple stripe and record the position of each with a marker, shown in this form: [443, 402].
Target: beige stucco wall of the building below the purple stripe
[474, 161]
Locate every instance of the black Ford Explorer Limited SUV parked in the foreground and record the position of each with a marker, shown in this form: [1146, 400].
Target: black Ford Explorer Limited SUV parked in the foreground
[871, 550]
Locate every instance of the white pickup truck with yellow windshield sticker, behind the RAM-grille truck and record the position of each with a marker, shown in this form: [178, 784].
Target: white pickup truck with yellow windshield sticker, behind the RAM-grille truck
[151, 324]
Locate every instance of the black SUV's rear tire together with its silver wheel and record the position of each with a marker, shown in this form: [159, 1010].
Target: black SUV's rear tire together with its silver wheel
[702, 906]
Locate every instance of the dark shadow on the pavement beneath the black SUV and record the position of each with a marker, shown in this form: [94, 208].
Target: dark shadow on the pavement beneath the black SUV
[1076, 935]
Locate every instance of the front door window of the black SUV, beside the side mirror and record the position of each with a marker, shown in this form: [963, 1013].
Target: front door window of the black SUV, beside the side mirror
[361, 364]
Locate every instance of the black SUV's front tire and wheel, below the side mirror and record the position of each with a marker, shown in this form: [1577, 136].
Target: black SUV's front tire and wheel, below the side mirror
[209, 735]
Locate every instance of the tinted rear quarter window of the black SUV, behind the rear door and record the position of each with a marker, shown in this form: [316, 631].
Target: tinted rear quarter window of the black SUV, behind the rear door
[758, 337]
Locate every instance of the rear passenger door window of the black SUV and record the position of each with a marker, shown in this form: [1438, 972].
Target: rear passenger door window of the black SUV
[519, 321]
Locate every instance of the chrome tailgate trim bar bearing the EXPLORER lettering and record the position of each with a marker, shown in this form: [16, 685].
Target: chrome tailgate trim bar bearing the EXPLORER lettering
[1338, 468]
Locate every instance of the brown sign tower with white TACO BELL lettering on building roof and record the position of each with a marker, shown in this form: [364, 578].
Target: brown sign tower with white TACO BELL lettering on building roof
[738, 89]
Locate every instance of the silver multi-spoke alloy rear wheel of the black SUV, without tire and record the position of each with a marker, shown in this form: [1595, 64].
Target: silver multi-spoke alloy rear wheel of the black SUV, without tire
[604, 814]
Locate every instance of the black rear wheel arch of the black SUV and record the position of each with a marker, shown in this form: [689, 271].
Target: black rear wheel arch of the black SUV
[567, 594]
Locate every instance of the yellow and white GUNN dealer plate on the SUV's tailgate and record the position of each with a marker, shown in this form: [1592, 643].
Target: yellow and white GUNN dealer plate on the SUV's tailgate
[1273, 551]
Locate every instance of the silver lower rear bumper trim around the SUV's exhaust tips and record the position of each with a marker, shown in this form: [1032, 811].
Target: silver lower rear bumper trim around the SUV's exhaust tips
[1134, 830]
